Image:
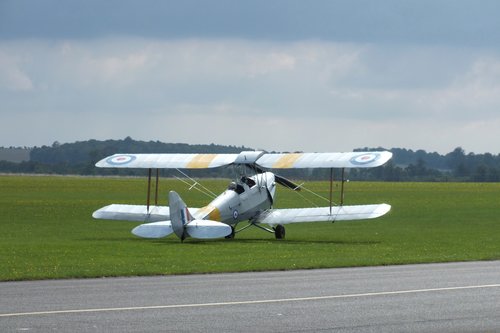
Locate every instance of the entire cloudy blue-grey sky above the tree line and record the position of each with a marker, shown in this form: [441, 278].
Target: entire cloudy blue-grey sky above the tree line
[316, 76]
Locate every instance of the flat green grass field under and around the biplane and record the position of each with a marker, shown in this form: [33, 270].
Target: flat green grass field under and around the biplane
[47, 230]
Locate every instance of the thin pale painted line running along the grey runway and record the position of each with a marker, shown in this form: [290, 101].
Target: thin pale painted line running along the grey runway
[282, 300]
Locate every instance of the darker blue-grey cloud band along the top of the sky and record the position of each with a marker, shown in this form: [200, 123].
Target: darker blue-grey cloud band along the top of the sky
[420, 22]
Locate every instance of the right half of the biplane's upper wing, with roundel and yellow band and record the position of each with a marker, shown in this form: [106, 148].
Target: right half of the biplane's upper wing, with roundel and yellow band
[325, 160]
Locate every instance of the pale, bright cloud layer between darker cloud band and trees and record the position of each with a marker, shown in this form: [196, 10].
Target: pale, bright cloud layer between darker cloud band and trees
[305, 95]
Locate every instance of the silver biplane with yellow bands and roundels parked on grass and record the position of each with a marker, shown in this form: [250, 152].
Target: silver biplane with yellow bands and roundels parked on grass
[250, 197]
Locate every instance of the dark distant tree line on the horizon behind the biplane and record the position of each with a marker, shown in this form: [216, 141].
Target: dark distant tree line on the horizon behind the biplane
[79, 158]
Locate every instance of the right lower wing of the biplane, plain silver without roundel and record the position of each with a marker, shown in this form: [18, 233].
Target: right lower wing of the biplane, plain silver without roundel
[322, 214]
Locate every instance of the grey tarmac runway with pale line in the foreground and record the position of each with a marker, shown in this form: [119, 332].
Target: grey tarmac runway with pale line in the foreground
[454, 297]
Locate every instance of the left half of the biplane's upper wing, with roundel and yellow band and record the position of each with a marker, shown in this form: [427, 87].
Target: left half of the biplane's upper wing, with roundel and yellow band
[166, 161]
